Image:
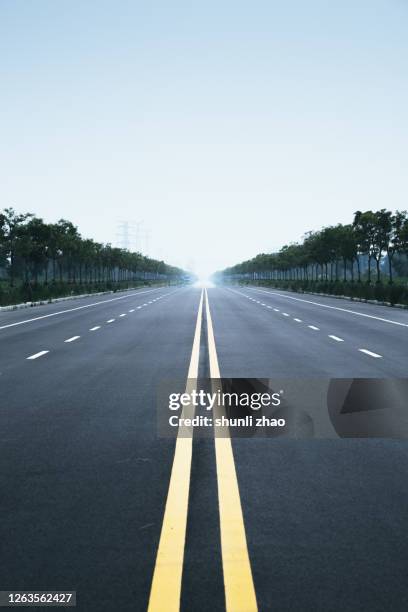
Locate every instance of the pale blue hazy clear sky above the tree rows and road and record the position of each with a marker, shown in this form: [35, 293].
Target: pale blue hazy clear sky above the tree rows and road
[228, 128]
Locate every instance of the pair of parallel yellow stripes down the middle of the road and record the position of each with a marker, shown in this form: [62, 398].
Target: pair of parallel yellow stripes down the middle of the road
[238, 583]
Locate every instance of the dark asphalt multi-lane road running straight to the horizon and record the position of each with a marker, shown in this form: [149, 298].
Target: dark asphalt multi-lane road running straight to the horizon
[85, 475]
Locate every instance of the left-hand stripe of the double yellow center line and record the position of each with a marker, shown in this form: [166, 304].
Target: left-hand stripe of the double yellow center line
[166, 584]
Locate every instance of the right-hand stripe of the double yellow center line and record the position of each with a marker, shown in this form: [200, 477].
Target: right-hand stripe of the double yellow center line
[238, 583]
